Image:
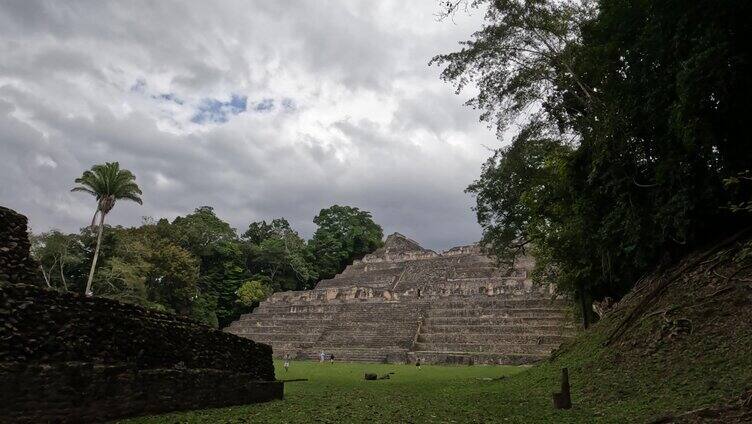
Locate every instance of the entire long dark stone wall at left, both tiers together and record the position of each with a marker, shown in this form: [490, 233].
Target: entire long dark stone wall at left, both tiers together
[68, 358]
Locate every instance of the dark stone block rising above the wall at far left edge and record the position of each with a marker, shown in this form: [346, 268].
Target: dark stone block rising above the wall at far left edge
[16, 265]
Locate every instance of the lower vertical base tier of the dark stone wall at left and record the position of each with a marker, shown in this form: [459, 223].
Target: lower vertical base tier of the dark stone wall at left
[76, 392]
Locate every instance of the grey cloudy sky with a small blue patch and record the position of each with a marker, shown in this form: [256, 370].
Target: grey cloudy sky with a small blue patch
[260, 109]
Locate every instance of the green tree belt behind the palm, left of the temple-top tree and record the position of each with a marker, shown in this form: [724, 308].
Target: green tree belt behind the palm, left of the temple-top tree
[194, 266]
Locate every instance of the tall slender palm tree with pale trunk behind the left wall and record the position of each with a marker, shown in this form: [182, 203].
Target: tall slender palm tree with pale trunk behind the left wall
[107, 183]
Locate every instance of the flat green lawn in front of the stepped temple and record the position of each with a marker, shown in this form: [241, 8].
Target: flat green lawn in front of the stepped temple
[337, 393]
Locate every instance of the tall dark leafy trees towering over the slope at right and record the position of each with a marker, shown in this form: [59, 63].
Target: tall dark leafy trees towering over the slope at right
[631, 117]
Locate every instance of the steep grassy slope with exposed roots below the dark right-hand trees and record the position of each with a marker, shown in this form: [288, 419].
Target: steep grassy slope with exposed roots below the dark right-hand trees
[681, 341]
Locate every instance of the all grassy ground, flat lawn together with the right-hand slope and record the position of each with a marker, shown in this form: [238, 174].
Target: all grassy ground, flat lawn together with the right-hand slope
[680, 342]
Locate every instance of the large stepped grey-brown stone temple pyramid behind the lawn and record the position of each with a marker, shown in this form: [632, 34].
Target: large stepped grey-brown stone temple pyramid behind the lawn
[404, 303]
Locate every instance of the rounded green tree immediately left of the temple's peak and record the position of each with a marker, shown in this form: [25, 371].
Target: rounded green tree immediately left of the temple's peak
[344, 234]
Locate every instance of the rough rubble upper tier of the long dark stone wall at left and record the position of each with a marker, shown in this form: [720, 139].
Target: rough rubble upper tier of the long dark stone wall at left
[48, 326]
